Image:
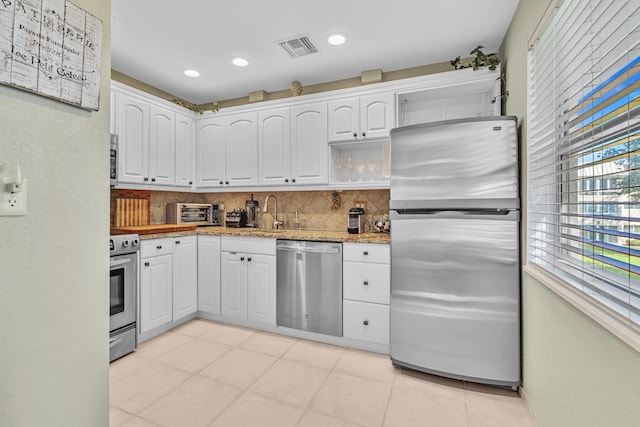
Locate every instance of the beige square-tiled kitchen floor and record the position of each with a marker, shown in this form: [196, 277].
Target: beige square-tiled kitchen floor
[210, 374]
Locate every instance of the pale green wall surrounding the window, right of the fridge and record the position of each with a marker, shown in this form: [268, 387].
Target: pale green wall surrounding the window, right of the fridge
[575, 373]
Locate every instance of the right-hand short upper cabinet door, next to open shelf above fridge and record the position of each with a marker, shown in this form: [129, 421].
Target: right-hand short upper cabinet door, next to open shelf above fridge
[376, 115]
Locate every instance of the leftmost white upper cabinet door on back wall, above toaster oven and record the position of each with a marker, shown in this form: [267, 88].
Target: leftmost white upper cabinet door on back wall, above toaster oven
[210, 154]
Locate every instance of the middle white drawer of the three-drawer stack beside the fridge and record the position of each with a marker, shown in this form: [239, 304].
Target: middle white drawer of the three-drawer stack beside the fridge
[366, 282]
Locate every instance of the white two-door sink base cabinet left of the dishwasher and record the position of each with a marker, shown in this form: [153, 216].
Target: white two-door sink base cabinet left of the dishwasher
[248, 279]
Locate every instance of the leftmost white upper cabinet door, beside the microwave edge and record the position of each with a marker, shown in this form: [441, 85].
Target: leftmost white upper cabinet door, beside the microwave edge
[132, 125]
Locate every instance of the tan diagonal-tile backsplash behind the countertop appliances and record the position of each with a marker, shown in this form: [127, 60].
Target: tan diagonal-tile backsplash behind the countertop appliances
[317, 210]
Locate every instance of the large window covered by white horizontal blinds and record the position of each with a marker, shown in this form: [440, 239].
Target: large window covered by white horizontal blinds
[584, 151]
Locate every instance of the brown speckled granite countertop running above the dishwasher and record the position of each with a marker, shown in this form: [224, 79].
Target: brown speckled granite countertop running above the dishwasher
[314, 235]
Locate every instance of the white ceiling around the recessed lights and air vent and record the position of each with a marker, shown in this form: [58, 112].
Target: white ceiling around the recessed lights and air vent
[154, 40]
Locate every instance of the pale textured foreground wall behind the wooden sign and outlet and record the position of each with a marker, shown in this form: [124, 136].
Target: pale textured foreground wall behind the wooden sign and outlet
[54, 261]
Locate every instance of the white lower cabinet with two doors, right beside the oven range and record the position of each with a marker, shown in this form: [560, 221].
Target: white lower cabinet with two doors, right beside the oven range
[168, 282]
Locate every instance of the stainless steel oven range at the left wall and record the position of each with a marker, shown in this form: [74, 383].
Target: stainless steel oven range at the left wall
[123, 288]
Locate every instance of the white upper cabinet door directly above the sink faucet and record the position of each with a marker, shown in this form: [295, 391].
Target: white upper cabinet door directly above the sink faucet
[274, 142]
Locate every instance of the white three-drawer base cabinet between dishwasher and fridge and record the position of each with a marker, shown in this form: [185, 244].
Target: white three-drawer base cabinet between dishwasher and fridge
[366, 292]
